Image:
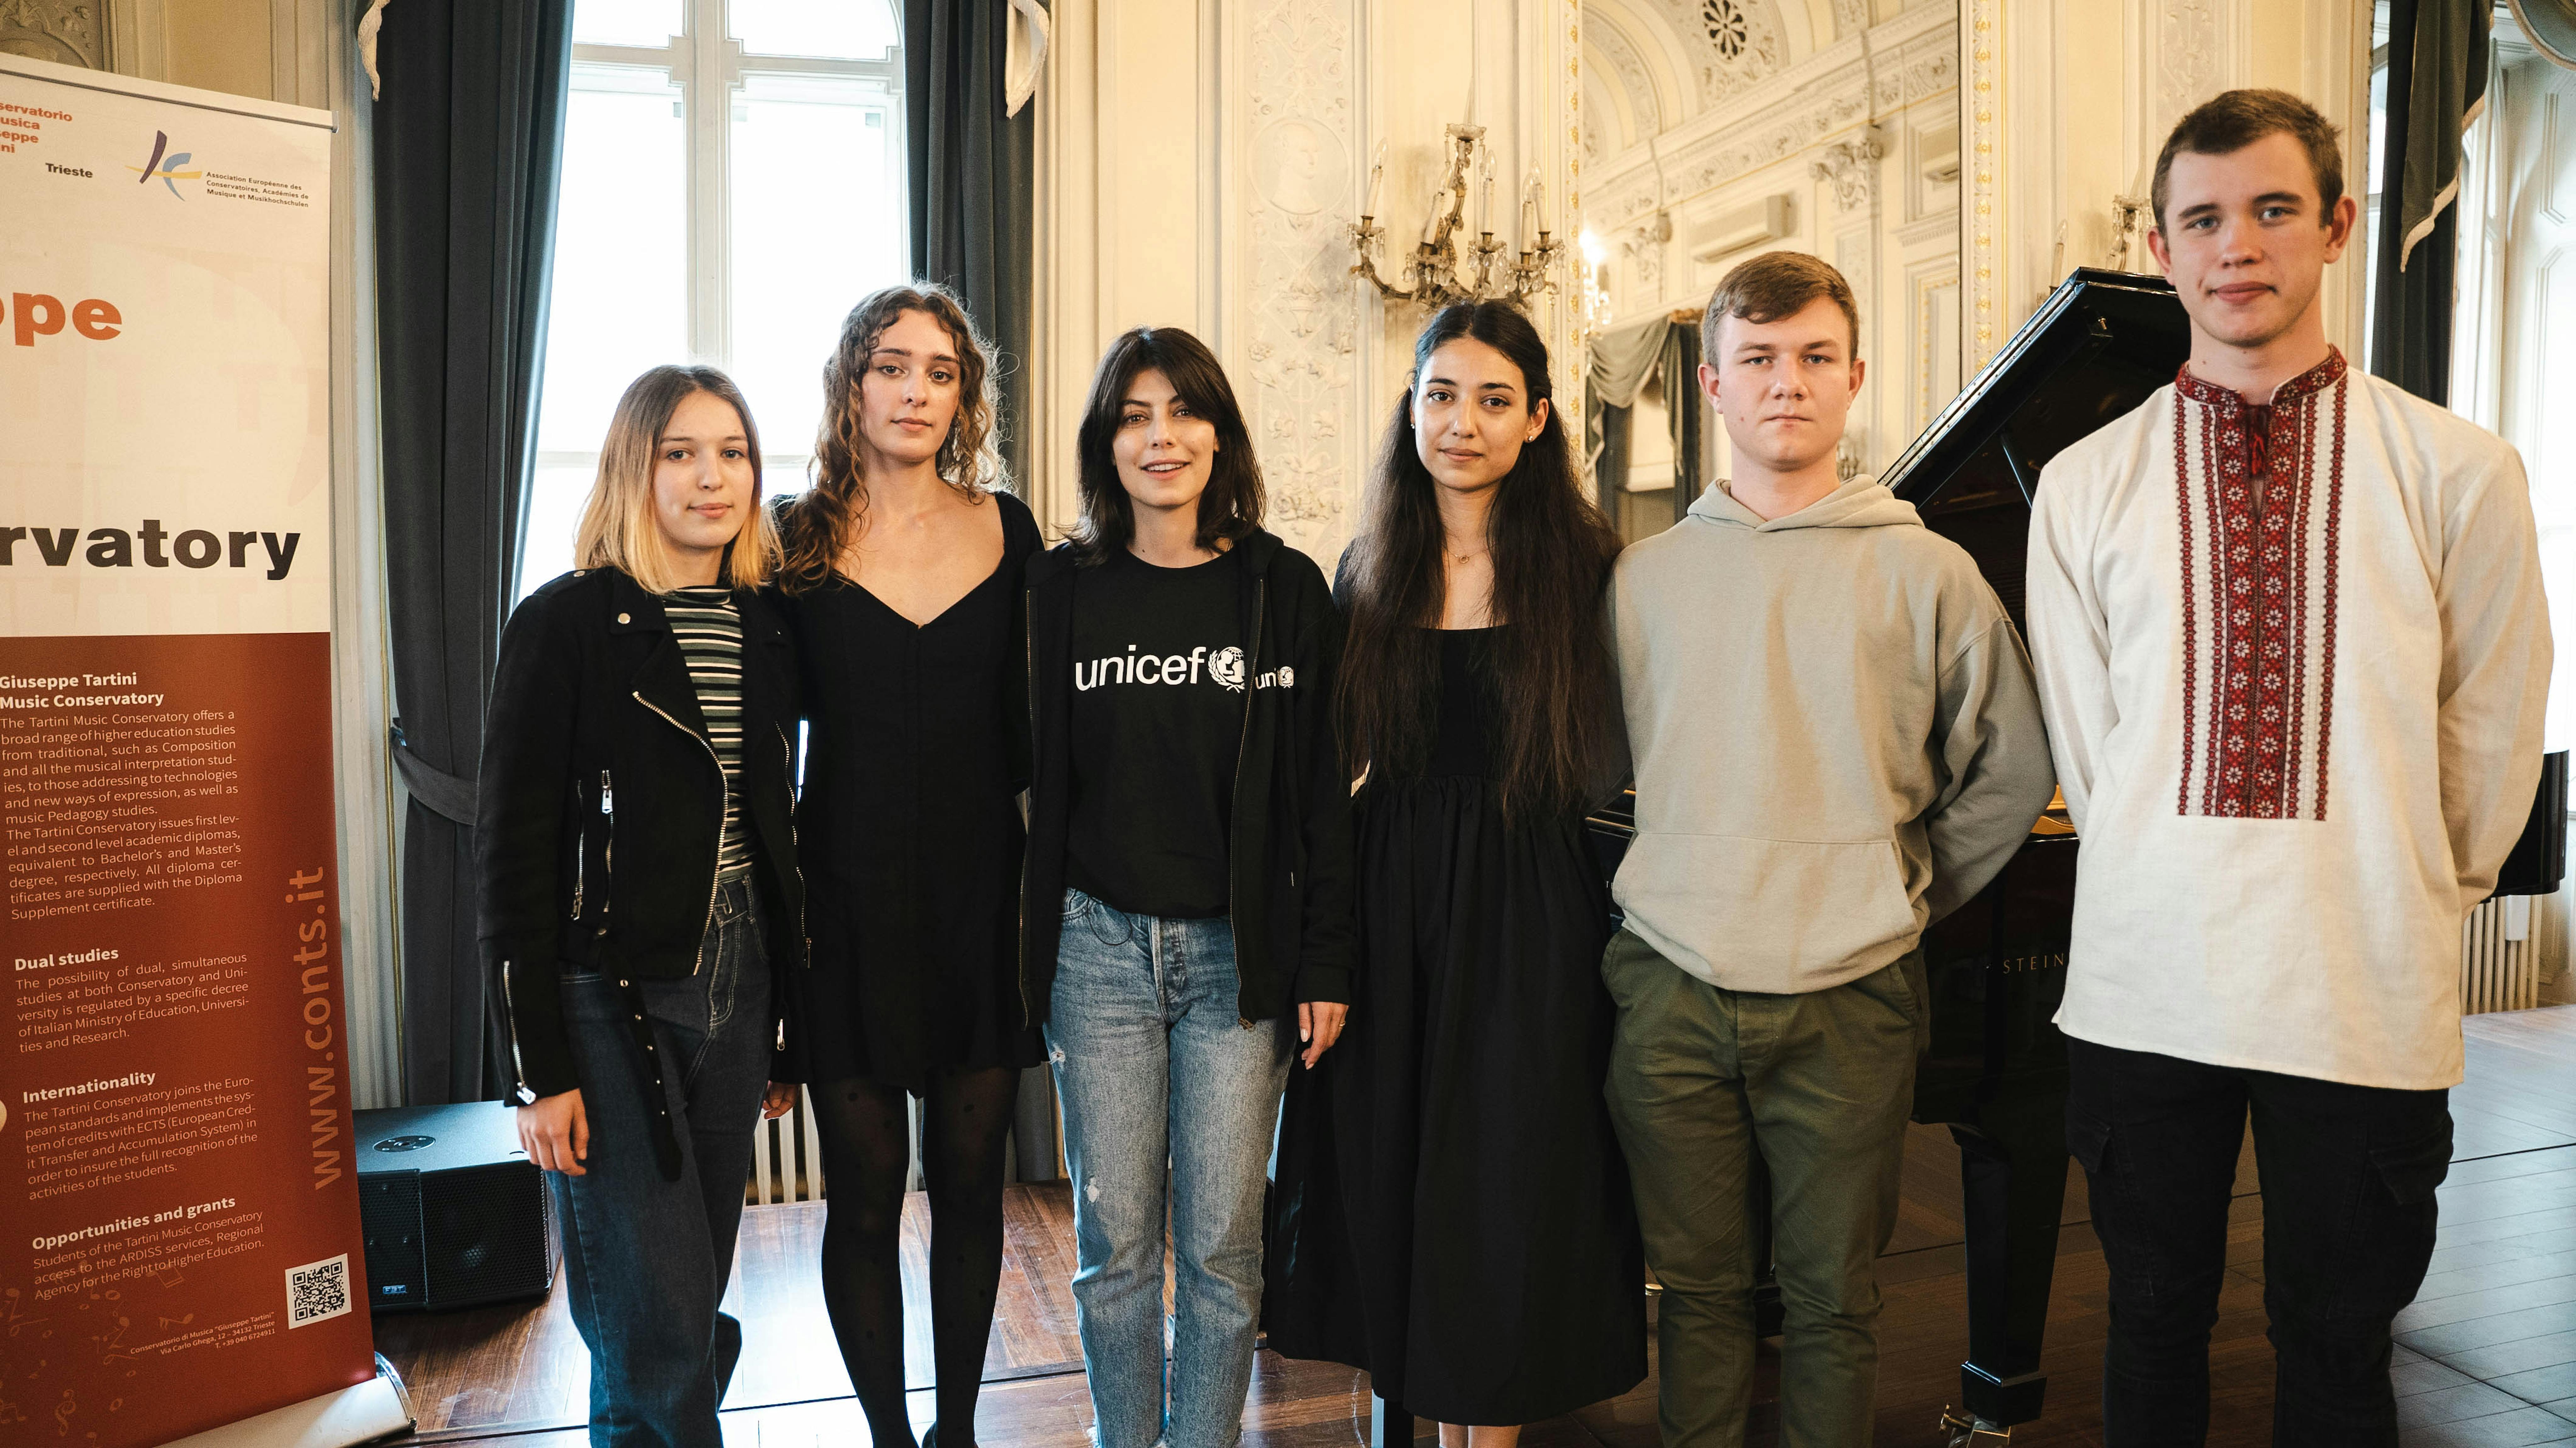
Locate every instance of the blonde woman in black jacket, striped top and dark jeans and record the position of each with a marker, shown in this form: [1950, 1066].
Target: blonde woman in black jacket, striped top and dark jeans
[640, 898]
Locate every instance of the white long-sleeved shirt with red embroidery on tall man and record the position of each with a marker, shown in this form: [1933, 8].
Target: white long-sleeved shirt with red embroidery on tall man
[2294, 663]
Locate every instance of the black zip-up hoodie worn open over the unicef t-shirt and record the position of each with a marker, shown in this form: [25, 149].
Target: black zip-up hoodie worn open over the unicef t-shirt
[1289, 857]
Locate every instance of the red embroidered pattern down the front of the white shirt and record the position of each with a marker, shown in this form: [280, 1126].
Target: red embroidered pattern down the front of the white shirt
[2255, 504]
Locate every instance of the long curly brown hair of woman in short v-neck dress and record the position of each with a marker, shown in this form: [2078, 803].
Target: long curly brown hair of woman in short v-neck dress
[828, 517]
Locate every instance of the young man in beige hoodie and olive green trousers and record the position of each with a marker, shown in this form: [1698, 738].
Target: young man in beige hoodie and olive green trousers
[1838, 743]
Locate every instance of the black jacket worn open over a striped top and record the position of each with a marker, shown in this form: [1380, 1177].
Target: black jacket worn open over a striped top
[594, 741]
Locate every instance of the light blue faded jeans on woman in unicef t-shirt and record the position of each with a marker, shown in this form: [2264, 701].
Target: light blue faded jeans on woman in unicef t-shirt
[1160, 1076]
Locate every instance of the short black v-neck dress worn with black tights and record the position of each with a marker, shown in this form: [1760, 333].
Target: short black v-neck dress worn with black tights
[911, 828]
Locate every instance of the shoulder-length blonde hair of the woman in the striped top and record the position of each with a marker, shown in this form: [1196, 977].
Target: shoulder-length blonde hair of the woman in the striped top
[620, 524]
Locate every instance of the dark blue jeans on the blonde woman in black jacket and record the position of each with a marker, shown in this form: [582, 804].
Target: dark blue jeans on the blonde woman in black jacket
[648, 1259]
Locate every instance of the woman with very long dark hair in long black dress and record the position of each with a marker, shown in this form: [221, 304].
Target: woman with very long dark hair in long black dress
[1452, 1207]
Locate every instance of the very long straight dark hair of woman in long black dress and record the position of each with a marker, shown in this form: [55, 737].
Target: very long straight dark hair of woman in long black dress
[1552, 555]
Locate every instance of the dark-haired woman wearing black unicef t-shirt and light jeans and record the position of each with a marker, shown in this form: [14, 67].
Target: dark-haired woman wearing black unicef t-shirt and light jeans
[1189, 875]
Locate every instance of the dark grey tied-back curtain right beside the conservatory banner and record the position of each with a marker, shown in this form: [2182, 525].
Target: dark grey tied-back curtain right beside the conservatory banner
[470, 135]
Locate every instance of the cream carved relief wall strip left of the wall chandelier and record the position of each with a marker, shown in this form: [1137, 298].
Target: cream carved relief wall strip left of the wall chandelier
[1305, 318]
